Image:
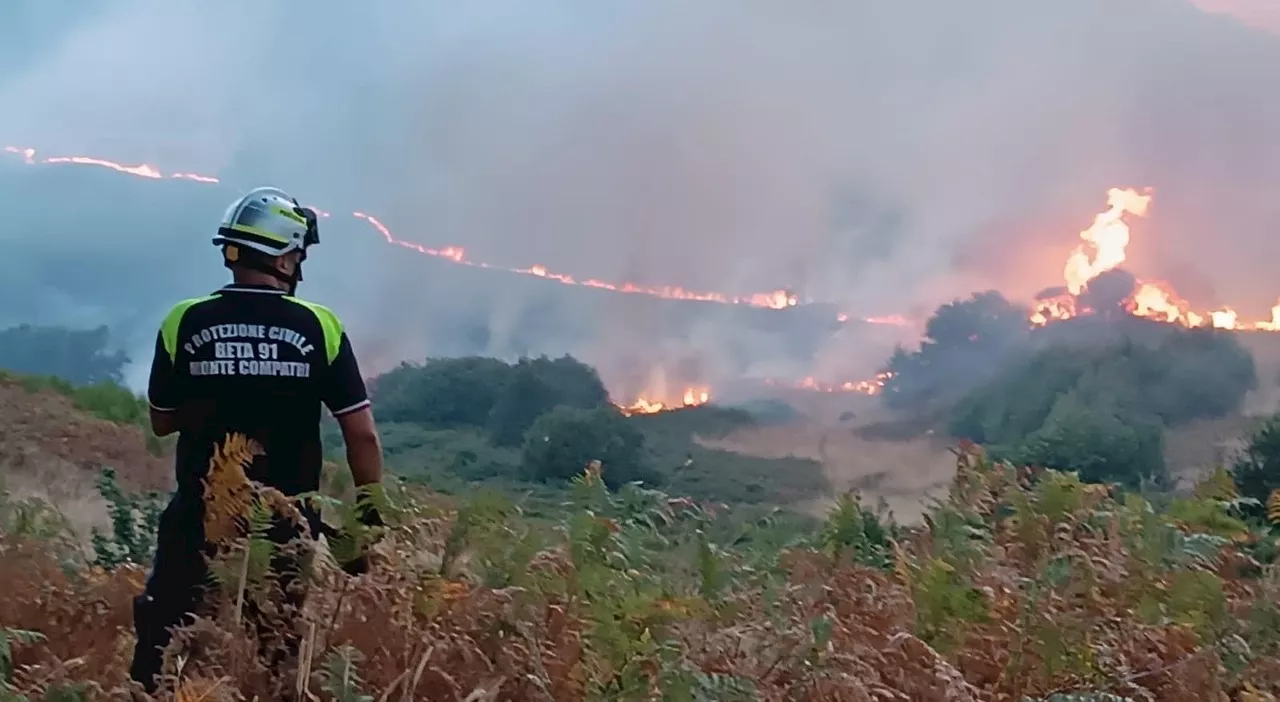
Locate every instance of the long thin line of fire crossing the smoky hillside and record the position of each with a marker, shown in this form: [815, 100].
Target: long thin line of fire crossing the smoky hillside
[776, 300]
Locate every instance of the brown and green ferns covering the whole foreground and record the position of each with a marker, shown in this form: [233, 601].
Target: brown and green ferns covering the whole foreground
[1020, 586]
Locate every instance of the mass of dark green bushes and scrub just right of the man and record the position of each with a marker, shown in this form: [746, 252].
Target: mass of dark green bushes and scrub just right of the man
[450, 425]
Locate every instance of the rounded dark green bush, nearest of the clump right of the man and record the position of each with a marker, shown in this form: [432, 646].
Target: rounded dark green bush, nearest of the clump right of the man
[564, 441]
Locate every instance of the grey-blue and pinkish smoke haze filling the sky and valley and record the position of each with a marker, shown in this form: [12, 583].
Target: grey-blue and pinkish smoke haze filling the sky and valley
[881, 157]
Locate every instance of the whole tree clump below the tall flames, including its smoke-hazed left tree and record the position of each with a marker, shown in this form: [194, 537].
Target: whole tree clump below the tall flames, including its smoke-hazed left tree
[1092, 395]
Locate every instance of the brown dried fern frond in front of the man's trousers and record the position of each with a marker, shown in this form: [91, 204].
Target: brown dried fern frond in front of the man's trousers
[228, 493]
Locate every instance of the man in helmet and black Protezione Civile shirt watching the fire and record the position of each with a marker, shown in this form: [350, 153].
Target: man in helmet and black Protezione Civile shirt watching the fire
[255, 361]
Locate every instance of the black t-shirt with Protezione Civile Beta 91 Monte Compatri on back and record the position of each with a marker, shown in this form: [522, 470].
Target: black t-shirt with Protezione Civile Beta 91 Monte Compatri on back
[254, 361]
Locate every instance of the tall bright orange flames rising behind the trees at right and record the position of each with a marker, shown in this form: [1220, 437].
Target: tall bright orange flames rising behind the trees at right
[1103, 249]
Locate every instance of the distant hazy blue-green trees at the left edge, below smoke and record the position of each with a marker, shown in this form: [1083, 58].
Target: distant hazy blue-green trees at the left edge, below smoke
[79, 357]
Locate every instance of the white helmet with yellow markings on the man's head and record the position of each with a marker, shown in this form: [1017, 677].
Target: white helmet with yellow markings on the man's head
[269, 221]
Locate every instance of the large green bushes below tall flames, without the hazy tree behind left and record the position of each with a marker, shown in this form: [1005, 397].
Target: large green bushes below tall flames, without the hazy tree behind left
[1103, 411]
